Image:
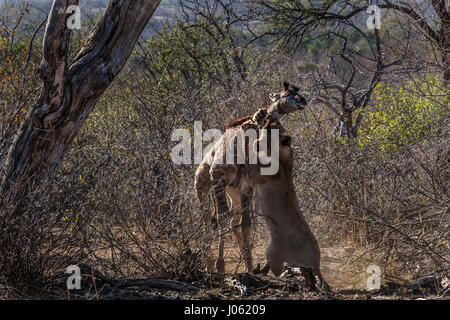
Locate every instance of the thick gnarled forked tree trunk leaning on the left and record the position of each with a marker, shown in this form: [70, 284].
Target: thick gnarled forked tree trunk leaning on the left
[70, 92]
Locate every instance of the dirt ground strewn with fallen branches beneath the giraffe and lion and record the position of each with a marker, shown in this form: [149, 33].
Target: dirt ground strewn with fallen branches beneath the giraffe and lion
[339, 266]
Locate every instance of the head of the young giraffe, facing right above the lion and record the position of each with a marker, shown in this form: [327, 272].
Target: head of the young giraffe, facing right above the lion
[286, 101]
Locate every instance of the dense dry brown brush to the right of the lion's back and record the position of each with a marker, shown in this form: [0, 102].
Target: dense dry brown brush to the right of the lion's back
[392, 205]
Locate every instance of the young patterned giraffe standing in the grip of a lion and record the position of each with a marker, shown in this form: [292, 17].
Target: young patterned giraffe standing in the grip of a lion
[235, 179]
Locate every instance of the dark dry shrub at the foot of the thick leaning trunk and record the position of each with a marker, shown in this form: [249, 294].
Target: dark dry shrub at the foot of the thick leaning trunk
[38, 240]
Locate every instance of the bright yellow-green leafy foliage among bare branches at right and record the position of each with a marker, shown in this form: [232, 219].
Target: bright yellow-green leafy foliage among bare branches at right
[404, 114]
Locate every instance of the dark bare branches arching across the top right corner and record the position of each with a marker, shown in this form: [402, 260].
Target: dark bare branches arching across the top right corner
[296, 19]
